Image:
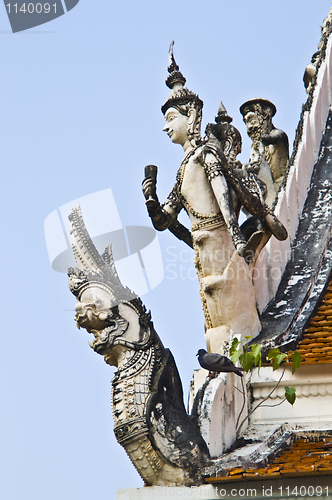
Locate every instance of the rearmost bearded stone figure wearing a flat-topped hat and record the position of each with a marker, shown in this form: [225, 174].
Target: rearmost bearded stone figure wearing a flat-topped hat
[270, 149]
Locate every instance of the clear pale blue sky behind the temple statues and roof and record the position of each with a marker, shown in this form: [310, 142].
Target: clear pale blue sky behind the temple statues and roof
[80, 112]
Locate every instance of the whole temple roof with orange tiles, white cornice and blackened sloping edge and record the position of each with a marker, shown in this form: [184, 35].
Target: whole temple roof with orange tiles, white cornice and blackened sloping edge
[299, 316]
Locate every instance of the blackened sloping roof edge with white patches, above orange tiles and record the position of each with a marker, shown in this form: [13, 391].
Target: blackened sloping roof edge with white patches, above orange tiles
[308, 271]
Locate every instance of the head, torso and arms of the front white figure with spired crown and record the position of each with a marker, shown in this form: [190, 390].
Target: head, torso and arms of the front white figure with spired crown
[183, 114]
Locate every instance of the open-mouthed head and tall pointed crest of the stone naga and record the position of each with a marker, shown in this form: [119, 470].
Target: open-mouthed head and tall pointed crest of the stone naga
[111, 312]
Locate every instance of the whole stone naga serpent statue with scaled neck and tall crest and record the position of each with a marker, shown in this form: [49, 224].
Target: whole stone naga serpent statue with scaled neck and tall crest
[150, 420]
